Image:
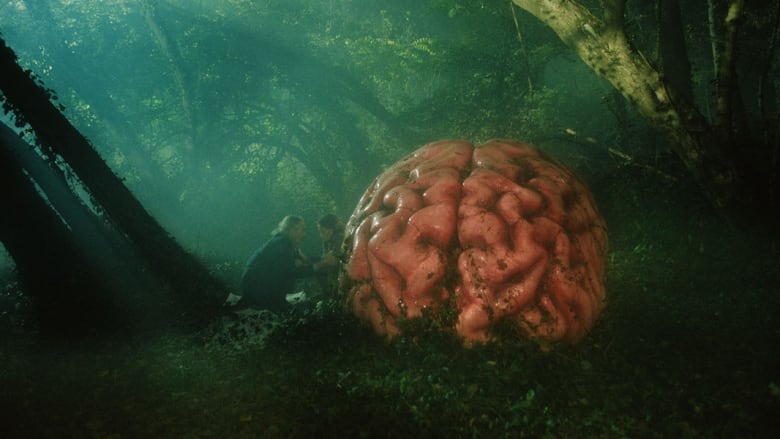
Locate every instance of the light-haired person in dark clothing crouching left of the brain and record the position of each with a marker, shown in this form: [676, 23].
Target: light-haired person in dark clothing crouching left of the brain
[270, 273]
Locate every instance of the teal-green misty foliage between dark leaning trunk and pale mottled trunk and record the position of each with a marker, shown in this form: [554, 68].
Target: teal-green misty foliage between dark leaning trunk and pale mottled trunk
[213, 114]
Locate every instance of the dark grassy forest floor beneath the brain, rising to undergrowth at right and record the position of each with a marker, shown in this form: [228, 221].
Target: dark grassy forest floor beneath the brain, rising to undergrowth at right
[687, 347]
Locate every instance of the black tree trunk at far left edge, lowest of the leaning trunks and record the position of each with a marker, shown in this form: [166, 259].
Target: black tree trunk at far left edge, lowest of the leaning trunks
[49, 266]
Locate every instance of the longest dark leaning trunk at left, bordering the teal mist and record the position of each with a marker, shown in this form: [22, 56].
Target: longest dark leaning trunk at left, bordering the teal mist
[198, 289]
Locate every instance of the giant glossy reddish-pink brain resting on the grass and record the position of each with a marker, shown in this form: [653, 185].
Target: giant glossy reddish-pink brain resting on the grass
[500, 233]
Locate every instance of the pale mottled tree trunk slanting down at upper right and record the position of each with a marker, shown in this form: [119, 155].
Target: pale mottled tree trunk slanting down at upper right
[603, 46]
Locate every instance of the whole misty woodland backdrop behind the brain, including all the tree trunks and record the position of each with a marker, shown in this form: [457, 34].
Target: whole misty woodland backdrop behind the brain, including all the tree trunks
[222, 117]
